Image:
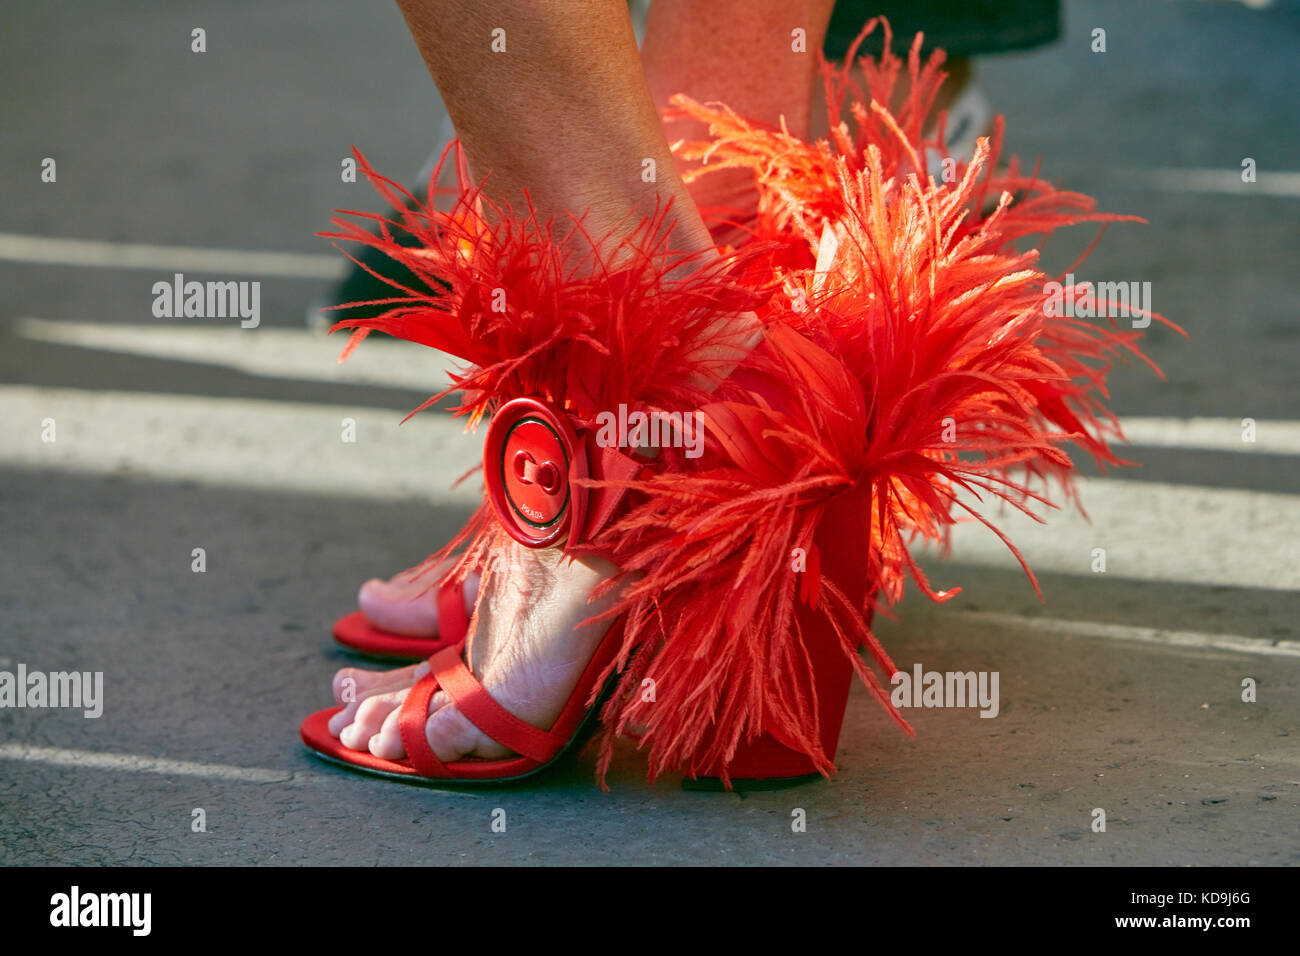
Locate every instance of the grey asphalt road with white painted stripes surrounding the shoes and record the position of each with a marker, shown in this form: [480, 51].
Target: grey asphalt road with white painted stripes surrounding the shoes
[1124, 691]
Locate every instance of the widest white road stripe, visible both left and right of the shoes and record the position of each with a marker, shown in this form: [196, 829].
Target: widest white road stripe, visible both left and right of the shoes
[1149, 531]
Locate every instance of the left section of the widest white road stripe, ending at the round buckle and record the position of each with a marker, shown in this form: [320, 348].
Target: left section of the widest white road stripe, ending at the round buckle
[240, 443]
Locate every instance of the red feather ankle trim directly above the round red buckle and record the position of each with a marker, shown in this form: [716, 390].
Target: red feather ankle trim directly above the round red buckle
[544, 309]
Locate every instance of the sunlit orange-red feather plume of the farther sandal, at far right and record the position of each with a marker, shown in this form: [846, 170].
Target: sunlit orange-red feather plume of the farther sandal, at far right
[915, 283]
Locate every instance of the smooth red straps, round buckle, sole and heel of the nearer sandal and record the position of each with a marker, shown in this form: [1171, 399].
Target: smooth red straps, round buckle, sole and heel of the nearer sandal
[552, 486]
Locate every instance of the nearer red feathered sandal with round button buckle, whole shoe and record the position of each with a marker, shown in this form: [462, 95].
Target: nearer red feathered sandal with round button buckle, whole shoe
[725, 611]
